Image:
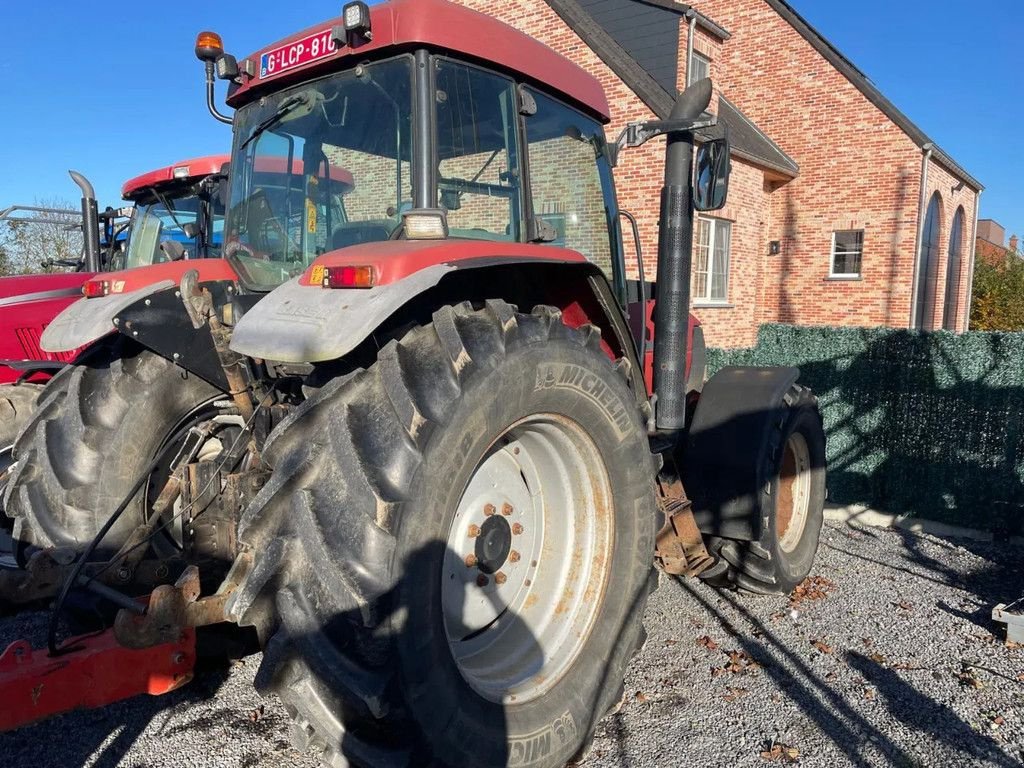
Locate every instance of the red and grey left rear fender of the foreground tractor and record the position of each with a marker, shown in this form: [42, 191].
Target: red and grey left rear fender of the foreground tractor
[92, 319]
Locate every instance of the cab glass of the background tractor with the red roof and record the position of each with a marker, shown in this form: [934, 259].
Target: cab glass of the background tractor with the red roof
[167, 221]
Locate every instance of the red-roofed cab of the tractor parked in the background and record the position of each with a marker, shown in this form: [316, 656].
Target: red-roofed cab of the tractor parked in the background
[179, 214]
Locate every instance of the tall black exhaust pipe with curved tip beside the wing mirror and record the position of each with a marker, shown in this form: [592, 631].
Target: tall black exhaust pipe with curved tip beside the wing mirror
[675, 252]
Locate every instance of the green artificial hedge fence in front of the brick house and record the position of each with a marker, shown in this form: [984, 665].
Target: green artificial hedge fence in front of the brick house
[927, 424]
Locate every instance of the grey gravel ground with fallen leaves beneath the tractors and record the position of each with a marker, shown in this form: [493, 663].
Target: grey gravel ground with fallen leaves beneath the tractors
[888, 658]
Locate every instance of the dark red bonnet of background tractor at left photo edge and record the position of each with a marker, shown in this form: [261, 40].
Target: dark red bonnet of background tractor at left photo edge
[22, 323]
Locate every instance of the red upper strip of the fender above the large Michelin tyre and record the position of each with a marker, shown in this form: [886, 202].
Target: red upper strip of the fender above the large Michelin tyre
[395, 260]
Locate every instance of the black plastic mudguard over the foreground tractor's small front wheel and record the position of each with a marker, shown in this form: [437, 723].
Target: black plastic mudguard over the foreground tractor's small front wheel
[730, 452]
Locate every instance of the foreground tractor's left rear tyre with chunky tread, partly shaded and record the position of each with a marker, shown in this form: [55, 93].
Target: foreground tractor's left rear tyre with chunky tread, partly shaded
[98, 428]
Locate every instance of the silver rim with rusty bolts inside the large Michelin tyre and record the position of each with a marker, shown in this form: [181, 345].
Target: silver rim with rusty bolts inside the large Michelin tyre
[528, 561]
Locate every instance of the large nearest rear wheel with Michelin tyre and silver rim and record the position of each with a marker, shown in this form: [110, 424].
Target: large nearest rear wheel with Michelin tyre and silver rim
[452, 559]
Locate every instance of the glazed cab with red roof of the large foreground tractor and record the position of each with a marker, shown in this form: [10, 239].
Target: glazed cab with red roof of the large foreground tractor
[435, 143]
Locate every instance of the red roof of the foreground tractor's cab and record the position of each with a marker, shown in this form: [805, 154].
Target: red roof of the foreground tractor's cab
[439, 25]
